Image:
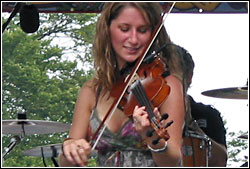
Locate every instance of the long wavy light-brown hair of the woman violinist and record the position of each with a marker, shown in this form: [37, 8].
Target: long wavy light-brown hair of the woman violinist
[105, 63]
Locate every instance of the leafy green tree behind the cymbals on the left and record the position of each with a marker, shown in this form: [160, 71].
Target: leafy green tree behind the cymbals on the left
[36, 80]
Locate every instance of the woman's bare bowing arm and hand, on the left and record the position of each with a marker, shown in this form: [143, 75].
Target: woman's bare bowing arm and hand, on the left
[76, 150]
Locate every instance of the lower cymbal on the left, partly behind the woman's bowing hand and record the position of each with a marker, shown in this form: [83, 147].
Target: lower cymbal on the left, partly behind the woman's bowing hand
[52, 150]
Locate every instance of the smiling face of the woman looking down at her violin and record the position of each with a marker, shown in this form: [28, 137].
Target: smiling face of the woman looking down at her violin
[130, 33]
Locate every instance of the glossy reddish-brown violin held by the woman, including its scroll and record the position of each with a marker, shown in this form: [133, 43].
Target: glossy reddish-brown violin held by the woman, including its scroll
[148, 89]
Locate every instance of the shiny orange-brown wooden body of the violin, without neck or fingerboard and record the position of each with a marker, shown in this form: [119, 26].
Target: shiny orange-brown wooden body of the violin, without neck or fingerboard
[155, 87]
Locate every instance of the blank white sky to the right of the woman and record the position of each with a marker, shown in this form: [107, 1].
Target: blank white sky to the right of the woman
[219, 45]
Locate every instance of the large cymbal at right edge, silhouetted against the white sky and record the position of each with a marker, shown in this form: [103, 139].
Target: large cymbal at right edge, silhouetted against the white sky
[228, 93]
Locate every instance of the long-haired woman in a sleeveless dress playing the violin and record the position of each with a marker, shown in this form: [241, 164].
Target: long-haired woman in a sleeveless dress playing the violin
[123, 30]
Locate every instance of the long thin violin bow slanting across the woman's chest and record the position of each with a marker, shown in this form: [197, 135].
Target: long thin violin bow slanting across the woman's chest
[129, 80]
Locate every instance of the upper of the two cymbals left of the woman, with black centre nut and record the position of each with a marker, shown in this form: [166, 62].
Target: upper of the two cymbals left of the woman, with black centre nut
[30, 127]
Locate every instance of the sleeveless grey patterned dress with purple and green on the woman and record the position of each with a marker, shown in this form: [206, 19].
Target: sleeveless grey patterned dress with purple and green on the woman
[122, 149]
